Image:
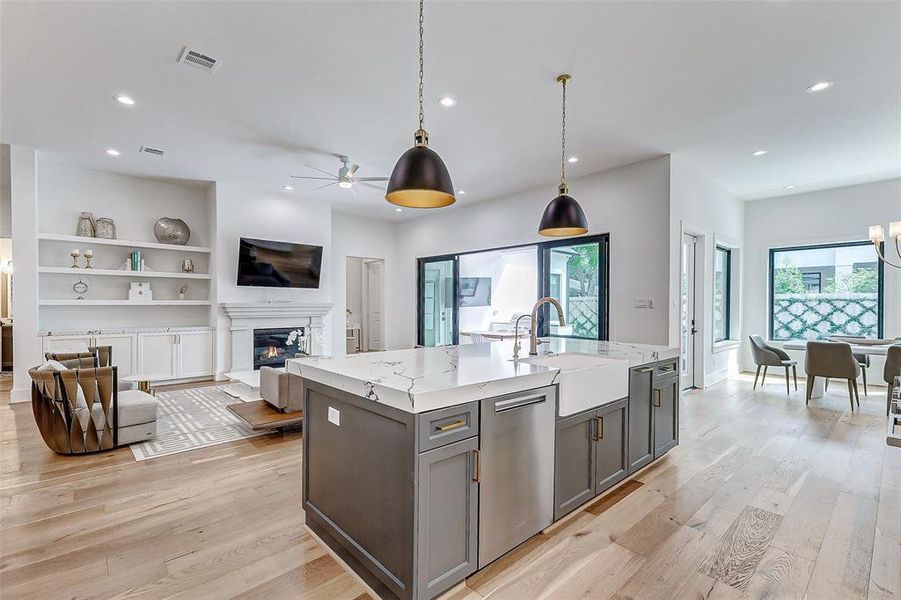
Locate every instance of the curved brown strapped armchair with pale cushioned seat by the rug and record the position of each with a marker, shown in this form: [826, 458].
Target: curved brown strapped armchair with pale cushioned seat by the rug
[78, 407]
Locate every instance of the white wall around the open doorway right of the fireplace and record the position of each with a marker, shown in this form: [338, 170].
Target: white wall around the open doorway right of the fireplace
[354, 236]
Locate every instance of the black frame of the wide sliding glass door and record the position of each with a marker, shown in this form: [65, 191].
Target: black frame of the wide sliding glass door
[543, 278]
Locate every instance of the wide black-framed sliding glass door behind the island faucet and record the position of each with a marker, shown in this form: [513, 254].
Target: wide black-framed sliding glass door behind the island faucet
[473, 297]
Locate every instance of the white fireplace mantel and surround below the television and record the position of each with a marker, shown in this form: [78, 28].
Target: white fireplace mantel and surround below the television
[247, 316]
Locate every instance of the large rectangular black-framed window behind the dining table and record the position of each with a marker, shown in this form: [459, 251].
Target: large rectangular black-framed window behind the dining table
[818, 291]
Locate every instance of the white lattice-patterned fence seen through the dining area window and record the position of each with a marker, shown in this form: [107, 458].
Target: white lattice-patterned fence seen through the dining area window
[814, 316]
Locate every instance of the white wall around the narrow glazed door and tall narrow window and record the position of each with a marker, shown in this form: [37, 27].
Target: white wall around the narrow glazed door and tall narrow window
[702, 208]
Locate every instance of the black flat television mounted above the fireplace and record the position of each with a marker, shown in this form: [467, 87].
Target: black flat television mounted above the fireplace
[265, 263]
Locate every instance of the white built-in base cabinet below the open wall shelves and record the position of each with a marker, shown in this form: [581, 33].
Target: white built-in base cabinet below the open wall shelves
[167, 355]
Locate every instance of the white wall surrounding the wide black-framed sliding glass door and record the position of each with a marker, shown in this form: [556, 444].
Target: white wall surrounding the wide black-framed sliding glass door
[631, 203]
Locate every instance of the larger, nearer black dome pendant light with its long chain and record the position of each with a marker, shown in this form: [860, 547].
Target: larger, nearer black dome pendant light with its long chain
[420, 179]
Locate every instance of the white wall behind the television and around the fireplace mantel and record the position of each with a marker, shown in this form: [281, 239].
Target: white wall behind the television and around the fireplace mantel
[246, 212]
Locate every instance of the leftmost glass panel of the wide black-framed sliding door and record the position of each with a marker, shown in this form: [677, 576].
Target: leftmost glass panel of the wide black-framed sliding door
[438, 301]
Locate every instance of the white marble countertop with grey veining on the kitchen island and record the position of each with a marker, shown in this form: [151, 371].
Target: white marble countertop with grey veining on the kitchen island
[423, 379]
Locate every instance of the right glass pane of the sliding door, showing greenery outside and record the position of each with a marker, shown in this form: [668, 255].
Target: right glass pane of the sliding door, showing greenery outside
[574, 281]
